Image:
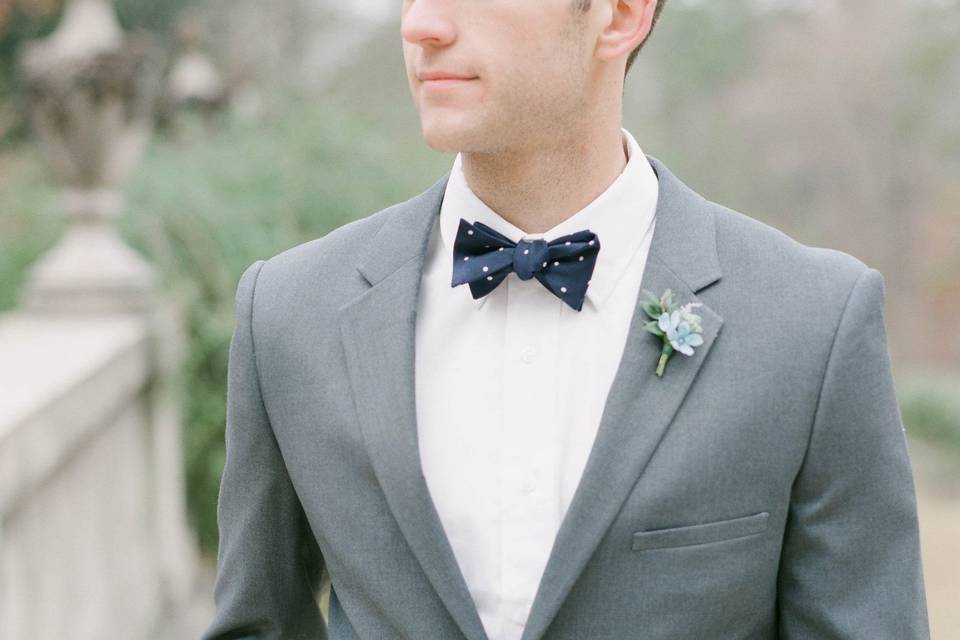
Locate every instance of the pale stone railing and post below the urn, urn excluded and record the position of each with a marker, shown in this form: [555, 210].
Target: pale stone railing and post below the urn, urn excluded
[94, 541]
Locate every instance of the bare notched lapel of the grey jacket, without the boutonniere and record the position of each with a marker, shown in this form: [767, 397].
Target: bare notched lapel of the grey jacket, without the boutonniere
[378, 333]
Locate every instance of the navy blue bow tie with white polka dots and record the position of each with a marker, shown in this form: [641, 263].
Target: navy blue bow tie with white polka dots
[483, 257]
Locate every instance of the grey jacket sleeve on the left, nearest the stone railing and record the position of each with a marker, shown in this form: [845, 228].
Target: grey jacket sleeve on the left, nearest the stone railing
[268, 562]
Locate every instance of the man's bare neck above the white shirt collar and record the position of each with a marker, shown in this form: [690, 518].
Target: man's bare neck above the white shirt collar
[535, 189]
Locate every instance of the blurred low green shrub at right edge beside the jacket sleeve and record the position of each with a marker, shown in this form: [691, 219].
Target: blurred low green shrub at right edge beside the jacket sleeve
[930, 405]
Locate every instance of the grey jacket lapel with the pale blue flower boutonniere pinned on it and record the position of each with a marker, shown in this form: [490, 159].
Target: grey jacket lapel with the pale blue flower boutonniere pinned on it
[640, 405]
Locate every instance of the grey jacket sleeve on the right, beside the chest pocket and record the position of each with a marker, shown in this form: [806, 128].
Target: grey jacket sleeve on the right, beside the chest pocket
[850, 564]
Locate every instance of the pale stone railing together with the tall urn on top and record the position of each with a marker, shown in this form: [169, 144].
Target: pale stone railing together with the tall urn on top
[94, 539]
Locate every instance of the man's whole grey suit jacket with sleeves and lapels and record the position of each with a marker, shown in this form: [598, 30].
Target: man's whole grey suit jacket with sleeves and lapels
[760, 489]
